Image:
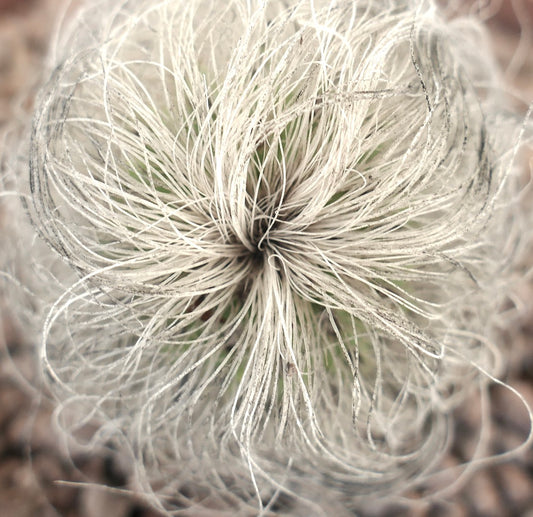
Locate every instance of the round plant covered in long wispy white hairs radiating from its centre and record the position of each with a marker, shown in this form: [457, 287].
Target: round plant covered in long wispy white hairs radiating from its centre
[289, 225]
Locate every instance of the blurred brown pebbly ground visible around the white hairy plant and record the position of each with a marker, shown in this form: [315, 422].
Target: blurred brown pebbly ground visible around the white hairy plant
[32, 458]
